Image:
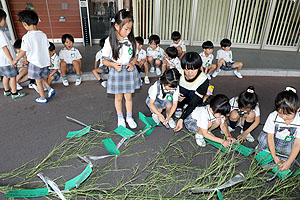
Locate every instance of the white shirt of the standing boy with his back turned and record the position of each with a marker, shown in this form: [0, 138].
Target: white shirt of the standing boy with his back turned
[36, 45]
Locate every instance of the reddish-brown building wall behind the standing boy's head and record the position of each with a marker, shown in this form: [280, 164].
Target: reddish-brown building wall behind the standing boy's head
[72, 24]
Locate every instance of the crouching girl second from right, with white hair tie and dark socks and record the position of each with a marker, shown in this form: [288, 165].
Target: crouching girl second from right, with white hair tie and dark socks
[245, 110]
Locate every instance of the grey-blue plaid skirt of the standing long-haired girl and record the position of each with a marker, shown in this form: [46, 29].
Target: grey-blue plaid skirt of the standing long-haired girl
[124, 81]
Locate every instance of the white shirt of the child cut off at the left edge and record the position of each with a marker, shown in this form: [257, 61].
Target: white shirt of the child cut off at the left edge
[4, 41]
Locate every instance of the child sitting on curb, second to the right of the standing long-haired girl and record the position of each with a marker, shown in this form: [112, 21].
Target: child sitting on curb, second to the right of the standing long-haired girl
[155, 54]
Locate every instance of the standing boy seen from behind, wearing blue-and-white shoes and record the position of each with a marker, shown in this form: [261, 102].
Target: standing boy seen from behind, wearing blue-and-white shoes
[35, 45]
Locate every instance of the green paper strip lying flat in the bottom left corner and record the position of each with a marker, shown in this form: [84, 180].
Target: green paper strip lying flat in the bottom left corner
[30, 193]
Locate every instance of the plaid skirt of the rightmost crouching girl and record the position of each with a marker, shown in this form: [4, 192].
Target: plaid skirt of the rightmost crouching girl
[281, 146]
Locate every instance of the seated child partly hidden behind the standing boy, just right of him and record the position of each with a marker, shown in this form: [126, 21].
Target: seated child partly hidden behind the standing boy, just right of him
[54, 71]
